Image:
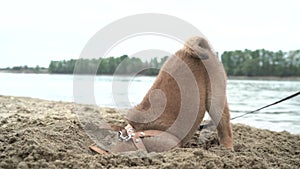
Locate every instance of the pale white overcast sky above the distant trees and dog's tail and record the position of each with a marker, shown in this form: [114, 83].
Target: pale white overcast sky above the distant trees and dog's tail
[34, 32]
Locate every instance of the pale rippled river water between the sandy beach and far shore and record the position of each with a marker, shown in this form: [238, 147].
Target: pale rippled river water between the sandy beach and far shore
[243, 95]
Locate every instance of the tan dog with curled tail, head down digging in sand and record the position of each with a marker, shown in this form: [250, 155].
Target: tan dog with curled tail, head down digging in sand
[190, 82]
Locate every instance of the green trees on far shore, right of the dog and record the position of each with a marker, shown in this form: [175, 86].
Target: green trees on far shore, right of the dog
[261, 63]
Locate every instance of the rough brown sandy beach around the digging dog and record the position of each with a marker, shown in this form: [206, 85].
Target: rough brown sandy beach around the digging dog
[46, 134]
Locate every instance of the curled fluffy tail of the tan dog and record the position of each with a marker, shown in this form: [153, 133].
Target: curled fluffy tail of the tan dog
[198, 47]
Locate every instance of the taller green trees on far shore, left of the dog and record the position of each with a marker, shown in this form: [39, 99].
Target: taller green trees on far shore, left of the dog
[122, 65]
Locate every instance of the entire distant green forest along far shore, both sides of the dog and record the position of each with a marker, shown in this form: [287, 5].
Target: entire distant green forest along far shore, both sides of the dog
[236, 63]
